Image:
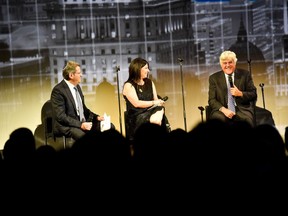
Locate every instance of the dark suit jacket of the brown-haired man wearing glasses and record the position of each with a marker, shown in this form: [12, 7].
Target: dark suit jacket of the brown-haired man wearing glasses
[64, 109]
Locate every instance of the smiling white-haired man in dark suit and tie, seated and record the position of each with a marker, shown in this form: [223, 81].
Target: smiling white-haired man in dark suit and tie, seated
[241, 87]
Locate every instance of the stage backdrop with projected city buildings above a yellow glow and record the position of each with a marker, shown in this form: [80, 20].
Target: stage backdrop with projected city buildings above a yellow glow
[181, 39]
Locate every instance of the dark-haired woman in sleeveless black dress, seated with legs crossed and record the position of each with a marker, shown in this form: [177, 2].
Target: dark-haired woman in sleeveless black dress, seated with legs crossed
[142, 102]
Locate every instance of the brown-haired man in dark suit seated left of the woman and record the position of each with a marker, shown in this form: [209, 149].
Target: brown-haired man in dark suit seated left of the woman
[72, 117]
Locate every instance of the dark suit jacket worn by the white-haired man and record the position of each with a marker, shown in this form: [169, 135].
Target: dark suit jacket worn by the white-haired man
[218, 91]
